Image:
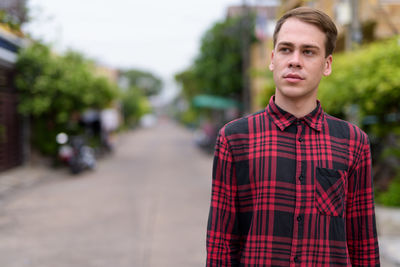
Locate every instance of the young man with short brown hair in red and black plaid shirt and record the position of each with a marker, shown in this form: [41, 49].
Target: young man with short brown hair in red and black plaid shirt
[292, 185]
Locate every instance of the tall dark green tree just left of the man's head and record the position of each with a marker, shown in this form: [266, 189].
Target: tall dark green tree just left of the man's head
[219, 66]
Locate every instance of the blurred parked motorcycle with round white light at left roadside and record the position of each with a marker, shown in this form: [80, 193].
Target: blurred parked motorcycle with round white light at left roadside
[74, 152]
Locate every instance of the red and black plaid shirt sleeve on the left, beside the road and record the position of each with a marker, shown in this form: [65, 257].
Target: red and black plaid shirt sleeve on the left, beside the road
[223, 242]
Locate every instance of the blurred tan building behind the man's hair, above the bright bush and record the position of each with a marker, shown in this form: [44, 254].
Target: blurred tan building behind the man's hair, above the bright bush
[357, 20]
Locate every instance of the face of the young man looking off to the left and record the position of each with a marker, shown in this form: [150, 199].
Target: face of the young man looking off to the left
[298, 60]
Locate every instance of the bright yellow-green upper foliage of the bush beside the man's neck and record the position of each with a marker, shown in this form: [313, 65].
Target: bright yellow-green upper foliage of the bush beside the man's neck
[368, 77]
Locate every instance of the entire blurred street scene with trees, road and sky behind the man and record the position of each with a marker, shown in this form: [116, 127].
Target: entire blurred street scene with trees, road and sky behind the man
[133, 93]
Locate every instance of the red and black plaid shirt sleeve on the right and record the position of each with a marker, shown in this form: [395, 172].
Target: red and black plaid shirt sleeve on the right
[362, 238]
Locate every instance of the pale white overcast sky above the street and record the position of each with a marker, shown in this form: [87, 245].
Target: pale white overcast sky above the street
[154, 35]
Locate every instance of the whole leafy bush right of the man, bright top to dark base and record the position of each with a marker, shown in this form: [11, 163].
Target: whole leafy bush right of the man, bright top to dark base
[367, 80]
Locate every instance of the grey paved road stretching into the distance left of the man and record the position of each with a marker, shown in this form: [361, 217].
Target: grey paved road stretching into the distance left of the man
[147, 205]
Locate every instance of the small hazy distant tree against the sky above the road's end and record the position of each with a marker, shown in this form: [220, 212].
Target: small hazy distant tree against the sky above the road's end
[145, 81]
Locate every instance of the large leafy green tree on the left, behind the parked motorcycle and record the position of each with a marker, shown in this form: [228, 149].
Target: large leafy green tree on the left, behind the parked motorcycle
[53, 88]
